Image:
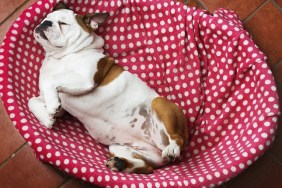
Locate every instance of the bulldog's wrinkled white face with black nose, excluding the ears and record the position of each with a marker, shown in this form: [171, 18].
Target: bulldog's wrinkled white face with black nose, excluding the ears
[58, 30]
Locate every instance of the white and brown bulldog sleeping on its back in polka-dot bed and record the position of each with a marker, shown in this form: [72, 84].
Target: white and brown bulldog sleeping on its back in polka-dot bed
[143, 130]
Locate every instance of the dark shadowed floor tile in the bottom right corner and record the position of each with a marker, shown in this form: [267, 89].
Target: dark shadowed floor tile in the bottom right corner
[266, 172]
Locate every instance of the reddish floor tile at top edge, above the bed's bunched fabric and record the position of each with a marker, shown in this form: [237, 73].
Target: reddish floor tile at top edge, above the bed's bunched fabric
[241, 7]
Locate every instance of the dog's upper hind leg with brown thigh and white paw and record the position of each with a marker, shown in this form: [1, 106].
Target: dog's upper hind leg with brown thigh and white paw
[175, 128]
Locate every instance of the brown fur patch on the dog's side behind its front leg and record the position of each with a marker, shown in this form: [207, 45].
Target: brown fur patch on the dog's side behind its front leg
[107, 71]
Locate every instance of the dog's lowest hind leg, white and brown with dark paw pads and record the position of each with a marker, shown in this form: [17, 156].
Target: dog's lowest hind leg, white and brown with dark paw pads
[133, 159]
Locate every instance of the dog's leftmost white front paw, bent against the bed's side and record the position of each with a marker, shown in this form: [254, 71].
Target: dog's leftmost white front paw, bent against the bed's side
[38, 107]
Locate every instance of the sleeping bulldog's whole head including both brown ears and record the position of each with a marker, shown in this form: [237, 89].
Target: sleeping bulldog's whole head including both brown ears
[62, 28]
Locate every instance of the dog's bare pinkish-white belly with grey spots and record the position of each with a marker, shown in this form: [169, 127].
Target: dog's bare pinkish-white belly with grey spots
[119, 112]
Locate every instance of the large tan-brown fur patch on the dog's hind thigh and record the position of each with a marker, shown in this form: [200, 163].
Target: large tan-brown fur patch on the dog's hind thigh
[173, 119]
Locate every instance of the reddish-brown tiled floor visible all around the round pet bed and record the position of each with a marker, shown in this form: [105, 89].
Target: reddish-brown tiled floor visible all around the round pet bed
[262, 18]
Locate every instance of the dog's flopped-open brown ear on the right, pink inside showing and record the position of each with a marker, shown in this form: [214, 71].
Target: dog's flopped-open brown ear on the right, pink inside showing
[93, 21]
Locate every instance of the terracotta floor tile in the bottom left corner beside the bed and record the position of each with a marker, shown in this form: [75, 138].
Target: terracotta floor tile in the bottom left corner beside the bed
[24, 170]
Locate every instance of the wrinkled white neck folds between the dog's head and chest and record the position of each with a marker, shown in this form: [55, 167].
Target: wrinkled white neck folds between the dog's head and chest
[94, 42]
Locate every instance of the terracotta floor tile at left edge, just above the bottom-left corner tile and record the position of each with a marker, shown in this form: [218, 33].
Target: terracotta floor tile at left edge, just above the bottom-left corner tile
[10, 139]
